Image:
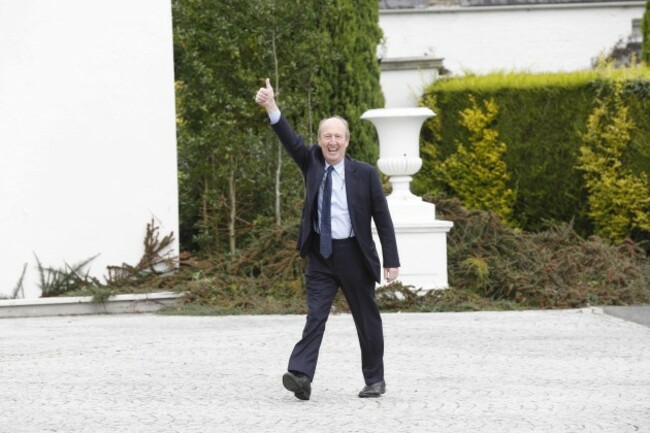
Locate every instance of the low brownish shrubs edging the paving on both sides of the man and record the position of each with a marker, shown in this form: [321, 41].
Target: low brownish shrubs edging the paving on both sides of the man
[490, 265]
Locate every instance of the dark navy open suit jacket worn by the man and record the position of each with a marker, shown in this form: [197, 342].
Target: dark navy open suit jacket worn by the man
[365, 195]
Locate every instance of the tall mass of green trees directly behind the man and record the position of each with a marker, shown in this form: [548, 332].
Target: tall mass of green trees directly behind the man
[321, 58]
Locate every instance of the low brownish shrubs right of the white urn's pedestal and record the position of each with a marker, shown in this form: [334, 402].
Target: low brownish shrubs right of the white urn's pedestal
[555, 268]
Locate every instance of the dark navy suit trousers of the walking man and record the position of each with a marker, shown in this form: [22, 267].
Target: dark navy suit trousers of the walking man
[347, 269]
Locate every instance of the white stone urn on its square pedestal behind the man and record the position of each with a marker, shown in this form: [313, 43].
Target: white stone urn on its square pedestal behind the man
[421, 239]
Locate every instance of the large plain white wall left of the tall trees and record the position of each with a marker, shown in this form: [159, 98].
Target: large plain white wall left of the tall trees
[87, 133]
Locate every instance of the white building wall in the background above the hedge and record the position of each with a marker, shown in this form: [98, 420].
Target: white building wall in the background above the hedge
[536, 38]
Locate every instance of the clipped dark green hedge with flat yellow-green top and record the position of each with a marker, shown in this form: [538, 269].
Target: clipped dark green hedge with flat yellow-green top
[541, 117]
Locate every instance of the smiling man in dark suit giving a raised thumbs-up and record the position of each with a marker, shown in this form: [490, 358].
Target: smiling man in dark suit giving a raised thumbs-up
[342, 196]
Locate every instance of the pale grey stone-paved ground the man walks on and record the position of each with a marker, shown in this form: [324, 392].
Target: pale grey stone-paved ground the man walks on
[533, 371]
